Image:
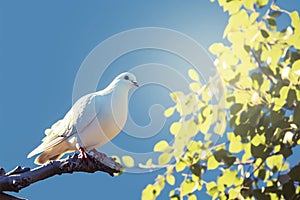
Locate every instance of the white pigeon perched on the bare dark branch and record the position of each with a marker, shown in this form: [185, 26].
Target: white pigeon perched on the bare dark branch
[94, 120]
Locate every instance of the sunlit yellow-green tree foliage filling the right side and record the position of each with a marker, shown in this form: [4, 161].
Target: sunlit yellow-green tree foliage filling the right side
[258, 121]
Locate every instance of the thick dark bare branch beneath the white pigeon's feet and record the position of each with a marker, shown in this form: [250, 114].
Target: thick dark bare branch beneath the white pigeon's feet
[20, 178]
